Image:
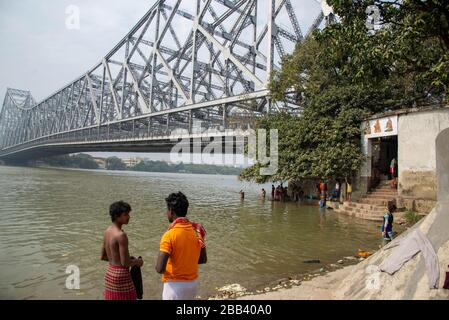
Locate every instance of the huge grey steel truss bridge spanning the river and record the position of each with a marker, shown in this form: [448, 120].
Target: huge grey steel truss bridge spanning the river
[188, 69]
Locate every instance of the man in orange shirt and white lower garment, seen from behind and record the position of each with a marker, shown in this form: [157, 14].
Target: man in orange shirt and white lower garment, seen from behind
[182, 248]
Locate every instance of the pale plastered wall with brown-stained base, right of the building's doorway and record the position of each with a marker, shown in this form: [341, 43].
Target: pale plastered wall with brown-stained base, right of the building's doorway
[417, 133]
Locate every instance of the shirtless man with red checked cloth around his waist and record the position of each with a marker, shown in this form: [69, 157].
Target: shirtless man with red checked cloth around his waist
[118, 282]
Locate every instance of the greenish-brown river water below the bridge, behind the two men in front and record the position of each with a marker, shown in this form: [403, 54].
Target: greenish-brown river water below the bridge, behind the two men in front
[53, 218]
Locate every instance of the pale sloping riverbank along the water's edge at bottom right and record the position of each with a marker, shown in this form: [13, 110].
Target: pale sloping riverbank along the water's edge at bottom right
[364, 281]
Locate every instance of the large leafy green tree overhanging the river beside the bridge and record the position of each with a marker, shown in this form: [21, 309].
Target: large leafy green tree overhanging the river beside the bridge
[345, 72]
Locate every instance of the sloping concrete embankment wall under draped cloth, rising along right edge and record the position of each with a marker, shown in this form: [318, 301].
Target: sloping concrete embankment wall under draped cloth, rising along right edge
[410, 281]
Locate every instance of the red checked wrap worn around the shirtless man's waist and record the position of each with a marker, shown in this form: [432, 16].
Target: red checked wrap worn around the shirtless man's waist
[118, 284]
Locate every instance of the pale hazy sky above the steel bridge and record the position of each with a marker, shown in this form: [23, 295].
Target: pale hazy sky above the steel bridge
[39, 53]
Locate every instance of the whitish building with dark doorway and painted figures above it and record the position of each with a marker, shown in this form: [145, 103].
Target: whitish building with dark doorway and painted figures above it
[410, 137]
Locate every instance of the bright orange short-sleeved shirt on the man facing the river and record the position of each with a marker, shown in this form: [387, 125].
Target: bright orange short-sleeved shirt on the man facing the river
[181, 243]
